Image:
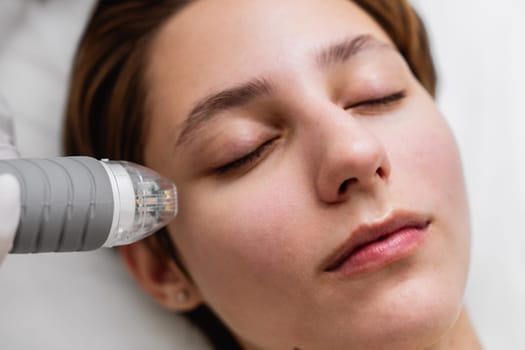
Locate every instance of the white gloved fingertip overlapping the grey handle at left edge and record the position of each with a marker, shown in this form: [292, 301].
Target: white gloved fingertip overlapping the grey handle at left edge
[9, 212]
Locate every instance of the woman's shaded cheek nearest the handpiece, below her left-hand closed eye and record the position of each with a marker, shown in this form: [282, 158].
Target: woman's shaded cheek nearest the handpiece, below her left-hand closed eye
[245, 233]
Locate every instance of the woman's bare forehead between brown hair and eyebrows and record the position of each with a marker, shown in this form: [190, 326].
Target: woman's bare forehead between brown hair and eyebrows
[211, 44]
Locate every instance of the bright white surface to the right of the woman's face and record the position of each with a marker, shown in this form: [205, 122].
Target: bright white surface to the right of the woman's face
[480, 50]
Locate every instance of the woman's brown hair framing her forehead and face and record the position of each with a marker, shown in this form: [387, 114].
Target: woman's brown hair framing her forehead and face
[106, 114]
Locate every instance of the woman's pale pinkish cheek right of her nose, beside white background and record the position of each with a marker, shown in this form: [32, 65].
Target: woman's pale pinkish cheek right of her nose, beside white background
[426, 165]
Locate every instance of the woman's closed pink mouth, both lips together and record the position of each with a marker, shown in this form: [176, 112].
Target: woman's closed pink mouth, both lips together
[373, 245]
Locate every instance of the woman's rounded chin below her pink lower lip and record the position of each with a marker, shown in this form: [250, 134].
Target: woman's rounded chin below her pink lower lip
[409, 310]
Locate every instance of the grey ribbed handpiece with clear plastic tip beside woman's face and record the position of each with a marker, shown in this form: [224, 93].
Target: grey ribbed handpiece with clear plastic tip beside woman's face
[80, 203]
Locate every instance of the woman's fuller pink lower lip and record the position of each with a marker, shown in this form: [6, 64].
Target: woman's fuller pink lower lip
[378, 254]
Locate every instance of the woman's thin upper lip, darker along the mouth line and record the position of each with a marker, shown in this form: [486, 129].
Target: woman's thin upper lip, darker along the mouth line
[369, 232]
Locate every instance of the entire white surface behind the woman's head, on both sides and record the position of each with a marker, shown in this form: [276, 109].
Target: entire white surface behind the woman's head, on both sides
[87, 301]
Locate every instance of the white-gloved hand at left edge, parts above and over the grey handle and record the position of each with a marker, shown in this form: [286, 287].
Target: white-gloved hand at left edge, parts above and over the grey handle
[9, 186]
